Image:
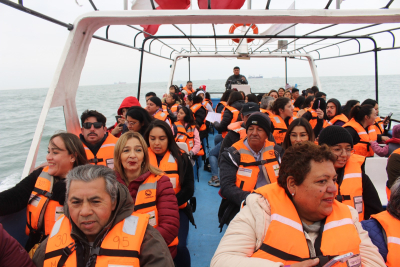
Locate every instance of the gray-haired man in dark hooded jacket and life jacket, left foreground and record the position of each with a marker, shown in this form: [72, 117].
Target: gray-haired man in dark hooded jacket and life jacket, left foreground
[96, 203]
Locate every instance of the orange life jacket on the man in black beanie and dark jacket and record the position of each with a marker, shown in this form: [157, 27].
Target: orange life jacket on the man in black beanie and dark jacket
[247, 173]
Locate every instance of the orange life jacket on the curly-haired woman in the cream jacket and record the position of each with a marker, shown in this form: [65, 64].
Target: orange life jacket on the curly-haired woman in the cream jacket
[285, 235]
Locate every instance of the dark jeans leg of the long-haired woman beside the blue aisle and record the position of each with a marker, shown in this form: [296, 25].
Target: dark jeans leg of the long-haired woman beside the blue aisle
[182, 258]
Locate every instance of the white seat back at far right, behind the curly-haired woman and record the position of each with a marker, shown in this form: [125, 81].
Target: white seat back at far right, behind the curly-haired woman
[375, 168]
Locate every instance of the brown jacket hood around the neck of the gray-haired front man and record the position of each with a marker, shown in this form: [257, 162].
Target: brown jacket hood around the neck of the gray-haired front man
[123, 209]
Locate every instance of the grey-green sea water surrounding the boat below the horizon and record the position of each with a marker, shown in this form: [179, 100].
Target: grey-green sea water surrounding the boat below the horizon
[20, 109]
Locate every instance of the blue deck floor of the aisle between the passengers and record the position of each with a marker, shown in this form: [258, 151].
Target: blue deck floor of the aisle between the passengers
[203, 241]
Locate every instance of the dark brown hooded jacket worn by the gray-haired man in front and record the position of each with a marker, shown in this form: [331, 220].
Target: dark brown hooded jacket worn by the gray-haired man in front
[153, 252]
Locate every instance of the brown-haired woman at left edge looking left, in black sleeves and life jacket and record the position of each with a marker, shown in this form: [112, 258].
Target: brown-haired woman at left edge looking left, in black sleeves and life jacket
[44, 189]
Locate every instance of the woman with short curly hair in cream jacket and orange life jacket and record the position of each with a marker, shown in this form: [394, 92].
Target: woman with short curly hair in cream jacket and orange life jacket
[297, 221]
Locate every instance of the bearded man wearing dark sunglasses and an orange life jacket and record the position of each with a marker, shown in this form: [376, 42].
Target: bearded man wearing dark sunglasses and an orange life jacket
[98, 143]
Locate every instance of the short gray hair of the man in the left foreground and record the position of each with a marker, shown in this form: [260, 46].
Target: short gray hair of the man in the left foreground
[88, 173]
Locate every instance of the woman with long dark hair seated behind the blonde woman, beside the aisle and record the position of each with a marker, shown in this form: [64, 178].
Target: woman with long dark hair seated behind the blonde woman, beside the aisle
[166, 155]
